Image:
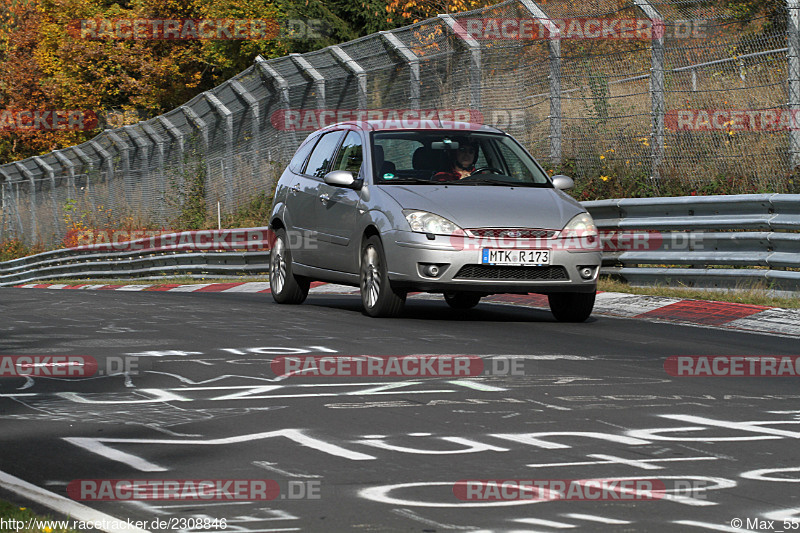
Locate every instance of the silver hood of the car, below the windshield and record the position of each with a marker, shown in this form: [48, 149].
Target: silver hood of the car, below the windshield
[489, 206]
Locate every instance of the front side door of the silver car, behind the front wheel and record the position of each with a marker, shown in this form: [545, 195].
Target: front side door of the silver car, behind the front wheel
[336, 209]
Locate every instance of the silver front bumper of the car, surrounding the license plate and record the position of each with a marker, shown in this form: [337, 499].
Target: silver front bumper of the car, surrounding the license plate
[460, 269]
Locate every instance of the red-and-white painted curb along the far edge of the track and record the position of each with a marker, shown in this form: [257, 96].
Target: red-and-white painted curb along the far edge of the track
[655, 308]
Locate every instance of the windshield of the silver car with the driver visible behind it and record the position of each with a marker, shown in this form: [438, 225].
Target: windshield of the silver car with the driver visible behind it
[454, 158]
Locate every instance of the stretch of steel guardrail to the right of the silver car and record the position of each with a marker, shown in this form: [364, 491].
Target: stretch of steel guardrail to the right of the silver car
[702, 241]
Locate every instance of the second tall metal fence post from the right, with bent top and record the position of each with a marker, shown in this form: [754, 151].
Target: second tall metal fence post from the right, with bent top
[656, 85]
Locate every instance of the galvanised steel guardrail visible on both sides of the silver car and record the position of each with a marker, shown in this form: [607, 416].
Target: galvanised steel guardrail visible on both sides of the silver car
[695, 241]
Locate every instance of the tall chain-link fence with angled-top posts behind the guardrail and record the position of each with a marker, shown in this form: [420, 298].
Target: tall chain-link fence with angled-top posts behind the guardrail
[663, 89]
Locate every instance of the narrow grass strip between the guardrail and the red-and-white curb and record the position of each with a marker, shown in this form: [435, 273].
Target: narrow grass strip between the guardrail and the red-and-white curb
[751, 296]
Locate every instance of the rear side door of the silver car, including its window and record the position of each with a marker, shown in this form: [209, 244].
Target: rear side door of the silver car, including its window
[302, 195]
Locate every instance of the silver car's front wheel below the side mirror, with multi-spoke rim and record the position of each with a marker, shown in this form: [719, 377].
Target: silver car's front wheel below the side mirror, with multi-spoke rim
[377, 295]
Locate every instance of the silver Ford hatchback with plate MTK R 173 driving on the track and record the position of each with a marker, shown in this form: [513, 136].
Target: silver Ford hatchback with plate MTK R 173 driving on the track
[458, 209]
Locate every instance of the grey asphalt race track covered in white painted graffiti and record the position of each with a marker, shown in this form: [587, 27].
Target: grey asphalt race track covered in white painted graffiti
[185, 390]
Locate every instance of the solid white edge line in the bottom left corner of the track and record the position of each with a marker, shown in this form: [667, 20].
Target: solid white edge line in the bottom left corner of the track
[65, 506]
